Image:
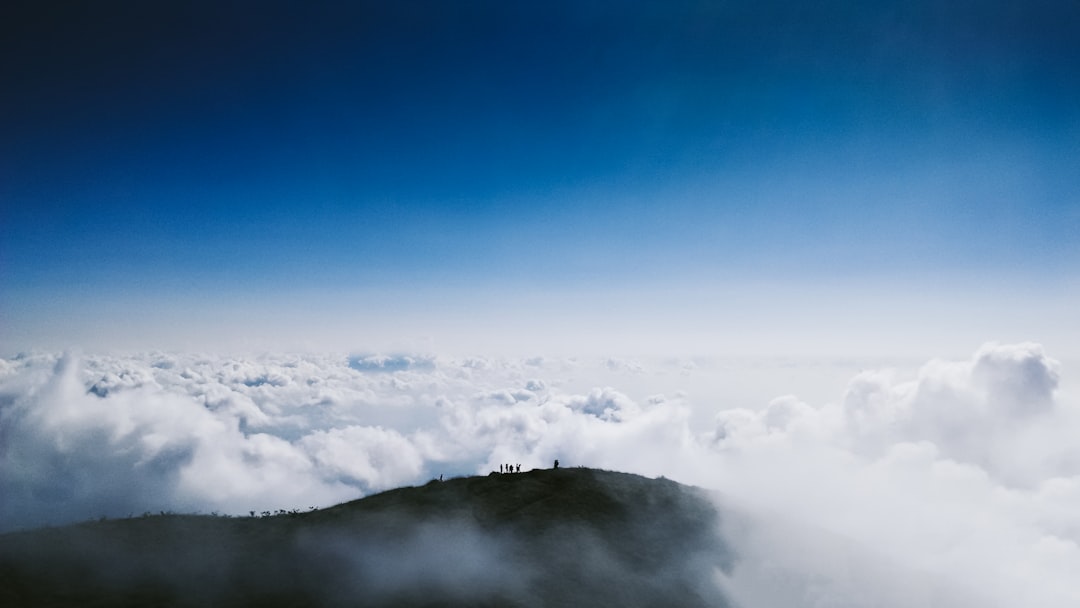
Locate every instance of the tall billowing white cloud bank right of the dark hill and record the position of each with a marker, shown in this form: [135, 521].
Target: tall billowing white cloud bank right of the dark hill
[951, 474]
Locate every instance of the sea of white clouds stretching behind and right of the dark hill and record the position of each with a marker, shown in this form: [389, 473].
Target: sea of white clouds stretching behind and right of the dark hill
[965, 474]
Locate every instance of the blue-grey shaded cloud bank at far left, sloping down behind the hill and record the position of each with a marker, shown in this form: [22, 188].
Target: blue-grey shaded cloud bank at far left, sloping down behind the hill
[72, 452]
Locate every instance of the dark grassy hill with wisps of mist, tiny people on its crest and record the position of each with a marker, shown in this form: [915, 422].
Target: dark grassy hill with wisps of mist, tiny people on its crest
[568, 537]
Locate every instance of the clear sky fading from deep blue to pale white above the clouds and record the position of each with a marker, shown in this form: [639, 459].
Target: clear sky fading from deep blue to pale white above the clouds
[762, 175]
